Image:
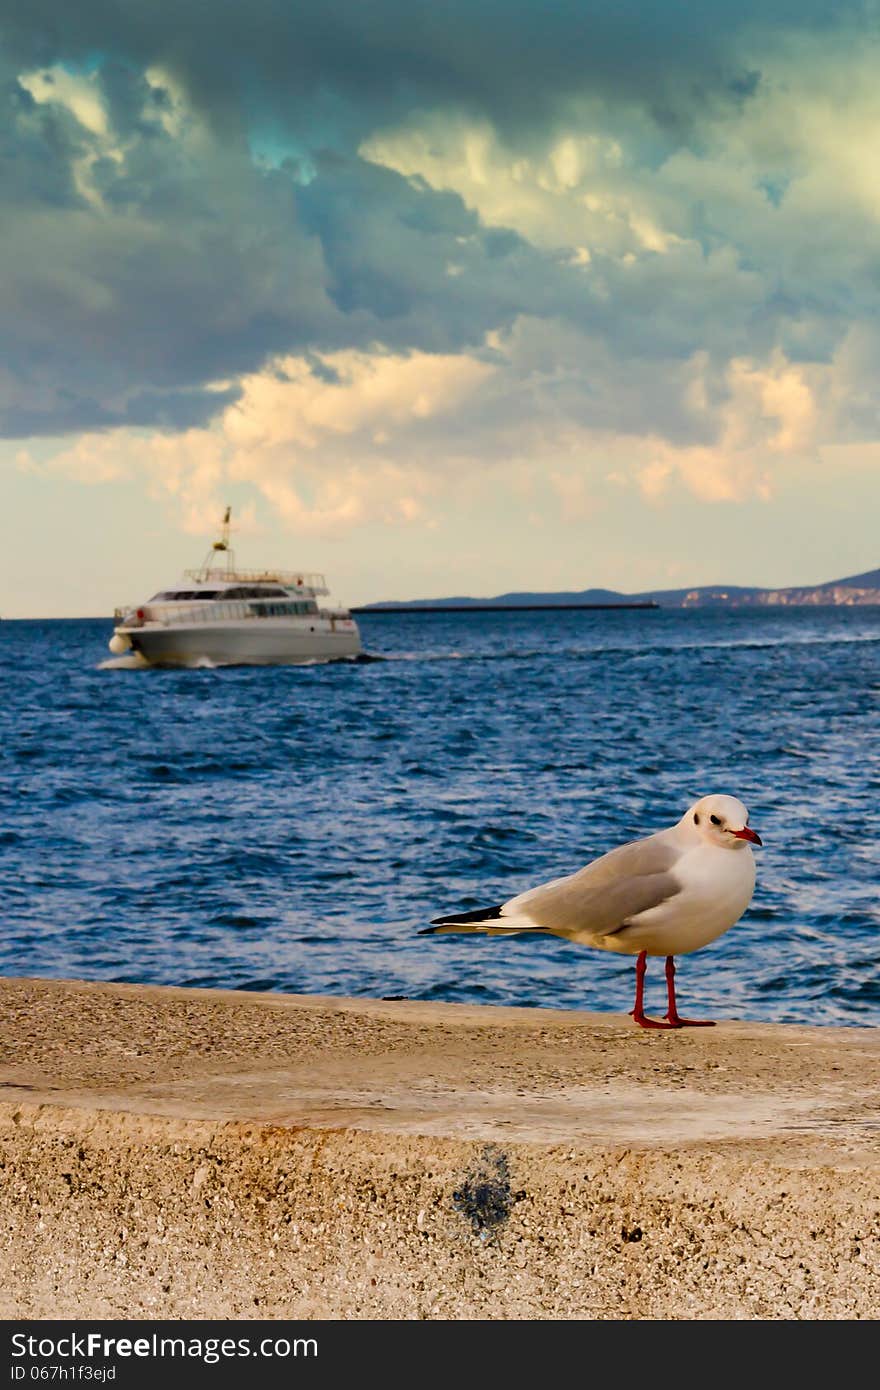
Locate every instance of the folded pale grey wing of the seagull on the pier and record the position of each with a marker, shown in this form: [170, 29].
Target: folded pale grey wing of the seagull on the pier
[603, 897]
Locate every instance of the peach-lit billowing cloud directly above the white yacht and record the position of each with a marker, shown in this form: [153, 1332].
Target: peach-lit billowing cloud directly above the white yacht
[329, 443]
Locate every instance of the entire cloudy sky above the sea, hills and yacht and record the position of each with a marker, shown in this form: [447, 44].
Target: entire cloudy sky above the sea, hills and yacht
[443, 300]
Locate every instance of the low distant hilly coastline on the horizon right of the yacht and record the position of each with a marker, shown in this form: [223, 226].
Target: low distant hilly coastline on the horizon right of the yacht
[854, 591]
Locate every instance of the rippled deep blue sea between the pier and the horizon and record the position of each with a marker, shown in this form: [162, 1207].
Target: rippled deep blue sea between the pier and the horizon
[294, 828]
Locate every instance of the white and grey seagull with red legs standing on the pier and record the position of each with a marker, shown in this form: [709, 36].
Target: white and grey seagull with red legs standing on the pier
[665, 896]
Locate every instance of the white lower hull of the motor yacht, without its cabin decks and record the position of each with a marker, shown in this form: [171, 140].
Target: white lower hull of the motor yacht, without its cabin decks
[243, 644]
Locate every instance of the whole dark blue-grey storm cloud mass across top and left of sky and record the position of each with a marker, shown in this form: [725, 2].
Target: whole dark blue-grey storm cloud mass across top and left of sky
[145, 265]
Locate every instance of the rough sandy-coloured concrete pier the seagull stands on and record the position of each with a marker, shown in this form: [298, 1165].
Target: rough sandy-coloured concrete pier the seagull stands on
[205, 1154]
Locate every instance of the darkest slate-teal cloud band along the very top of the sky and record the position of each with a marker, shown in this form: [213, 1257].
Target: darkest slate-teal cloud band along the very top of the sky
[332, 67]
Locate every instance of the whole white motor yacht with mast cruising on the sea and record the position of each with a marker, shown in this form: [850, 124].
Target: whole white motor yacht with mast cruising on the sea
[225, 616]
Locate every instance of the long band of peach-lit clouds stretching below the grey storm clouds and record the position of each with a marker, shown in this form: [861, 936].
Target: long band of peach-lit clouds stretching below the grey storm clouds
[344, 440]
